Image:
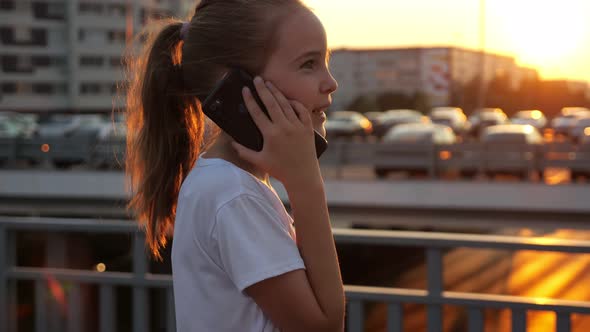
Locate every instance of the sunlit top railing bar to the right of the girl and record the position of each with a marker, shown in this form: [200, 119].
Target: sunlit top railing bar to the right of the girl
[454, 240]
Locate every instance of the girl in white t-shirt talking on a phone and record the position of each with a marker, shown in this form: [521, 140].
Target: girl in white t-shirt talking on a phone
[238, 262]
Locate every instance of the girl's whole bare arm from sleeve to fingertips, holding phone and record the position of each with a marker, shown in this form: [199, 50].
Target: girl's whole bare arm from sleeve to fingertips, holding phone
[300, 300]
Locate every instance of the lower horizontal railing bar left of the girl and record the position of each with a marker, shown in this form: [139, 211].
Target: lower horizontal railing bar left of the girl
[85, 276]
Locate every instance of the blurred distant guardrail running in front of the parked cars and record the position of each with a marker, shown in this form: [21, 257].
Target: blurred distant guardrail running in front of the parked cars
[467, 158]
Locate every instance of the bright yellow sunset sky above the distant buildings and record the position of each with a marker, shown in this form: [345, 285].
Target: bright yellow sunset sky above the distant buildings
[551, 36]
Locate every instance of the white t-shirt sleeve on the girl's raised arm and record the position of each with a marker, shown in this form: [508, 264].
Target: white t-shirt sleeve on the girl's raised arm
[253, 242]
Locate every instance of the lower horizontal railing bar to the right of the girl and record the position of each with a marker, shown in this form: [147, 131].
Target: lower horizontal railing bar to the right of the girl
[383, 294]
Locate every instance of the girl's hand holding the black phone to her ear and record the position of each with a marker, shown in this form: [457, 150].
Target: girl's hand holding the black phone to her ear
[288, 152]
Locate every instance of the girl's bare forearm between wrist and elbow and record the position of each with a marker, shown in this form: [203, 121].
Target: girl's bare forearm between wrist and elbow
[316, 245]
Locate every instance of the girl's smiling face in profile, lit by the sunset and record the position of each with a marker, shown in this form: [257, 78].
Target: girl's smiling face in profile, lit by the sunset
[299, 65]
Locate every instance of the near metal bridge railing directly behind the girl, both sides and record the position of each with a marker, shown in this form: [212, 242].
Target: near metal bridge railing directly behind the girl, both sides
[433, 297]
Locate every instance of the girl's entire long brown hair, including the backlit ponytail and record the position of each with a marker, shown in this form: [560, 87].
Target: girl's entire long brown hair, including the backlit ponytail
[168, 79]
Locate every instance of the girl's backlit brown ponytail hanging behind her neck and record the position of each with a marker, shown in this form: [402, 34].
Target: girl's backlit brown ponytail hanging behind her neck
[164, 134]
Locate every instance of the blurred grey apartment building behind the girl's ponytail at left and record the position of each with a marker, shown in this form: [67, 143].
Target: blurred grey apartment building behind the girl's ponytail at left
[66, 55]
